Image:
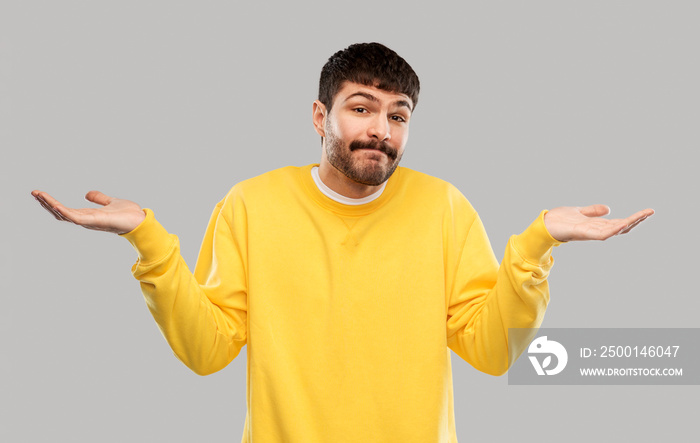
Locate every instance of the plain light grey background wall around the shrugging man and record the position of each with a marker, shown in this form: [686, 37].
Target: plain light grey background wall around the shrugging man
[524, 106]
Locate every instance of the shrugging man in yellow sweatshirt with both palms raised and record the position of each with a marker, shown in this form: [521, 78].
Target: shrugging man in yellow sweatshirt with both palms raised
[350, 280]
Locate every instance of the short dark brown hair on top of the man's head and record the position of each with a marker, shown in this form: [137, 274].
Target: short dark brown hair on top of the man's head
[370, 64]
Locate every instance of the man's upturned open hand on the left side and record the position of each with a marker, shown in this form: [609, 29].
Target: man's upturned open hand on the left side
[115, 215]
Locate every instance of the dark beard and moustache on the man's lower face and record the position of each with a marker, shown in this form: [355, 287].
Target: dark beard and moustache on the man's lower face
[340, 156]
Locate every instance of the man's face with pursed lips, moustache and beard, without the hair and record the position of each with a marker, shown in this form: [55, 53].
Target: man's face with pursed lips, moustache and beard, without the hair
[366, 131]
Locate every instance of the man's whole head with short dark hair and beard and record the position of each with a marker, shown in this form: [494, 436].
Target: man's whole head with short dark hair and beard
[372, 92]
